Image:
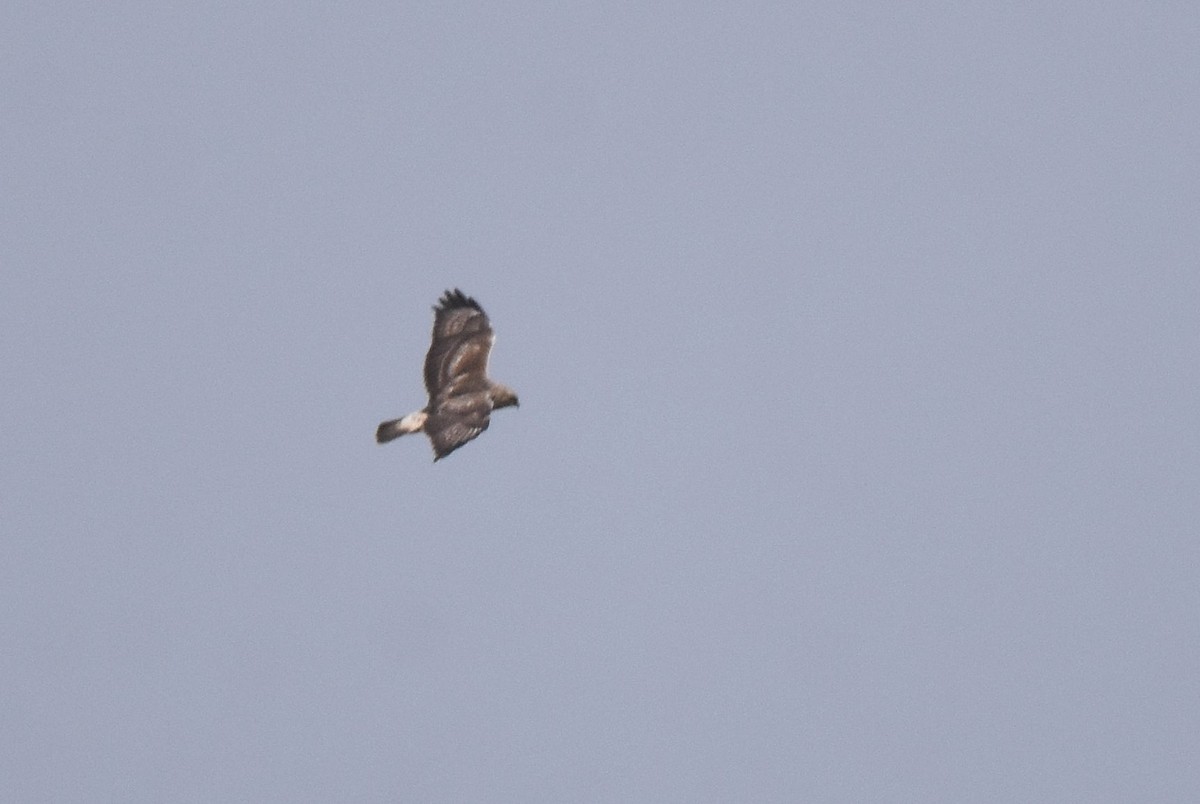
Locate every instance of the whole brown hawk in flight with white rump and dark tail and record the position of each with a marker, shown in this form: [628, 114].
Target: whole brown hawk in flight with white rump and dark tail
[461, 395]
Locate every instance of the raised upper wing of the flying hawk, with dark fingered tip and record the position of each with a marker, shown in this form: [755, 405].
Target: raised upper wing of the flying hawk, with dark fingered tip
[458, 359]
